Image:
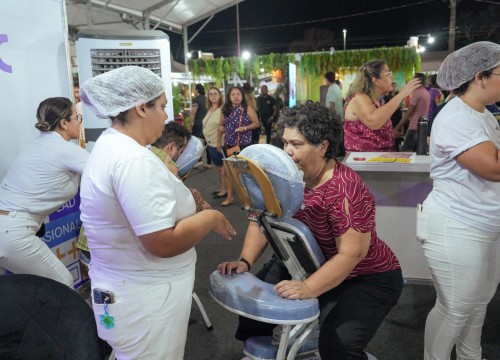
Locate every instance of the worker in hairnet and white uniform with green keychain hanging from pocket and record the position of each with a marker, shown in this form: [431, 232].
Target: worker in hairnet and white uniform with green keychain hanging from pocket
[140, 220]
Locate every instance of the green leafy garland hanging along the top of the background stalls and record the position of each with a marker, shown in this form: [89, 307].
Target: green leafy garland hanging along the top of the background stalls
[399, 59]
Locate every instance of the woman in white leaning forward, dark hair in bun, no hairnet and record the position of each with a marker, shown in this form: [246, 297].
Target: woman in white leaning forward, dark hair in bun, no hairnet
[41, 179]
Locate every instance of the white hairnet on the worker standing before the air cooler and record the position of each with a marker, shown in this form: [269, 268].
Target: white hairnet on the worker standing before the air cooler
[120, 89]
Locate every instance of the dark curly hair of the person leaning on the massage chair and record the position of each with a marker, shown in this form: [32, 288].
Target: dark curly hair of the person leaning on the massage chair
[316, 123]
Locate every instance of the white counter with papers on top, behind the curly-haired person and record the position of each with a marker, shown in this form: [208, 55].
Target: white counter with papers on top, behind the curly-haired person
[398, 181]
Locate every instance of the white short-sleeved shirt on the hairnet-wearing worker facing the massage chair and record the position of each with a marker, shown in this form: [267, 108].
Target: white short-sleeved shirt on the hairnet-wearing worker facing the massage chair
[126, 192]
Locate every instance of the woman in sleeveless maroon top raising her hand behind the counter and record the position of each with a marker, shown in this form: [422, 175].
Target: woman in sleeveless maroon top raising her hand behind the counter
[367, 120]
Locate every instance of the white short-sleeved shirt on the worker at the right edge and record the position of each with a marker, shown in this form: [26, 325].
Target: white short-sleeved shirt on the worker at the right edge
[457, 192]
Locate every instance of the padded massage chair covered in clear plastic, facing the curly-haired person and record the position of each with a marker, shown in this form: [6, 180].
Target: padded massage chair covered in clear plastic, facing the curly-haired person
[291, 241]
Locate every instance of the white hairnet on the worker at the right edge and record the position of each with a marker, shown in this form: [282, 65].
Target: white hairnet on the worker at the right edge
[462, 65]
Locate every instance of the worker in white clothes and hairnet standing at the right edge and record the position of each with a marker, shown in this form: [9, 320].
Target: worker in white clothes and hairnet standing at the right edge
[459, 222]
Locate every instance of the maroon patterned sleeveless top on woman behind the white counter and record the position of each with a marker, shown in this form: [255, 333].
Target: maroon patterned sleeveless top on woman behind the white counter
[357, 137]
